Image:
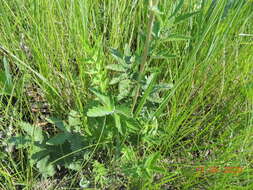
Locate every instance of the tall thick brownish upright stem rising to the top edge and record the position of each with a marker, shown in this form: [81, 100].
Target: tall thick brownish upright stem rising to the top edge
[153, 3]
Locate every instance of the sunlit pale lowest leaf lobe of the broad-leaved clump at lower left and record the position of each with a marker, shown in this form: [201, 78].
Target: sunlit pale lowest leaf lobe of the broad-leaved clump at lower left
[45, 168]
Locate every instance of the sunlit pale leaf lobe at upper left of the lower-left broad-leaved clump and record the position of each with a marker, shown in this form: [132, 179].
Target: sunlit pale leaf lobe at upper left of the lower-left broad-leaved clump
[33, 131]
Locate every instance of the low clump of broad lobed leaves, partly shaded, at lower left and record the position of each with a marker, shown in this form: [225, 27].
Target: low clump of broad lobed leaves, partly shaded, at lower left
[47, 153]
